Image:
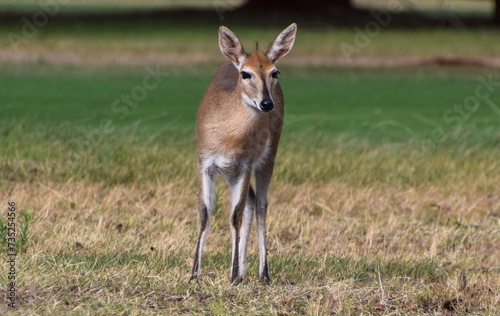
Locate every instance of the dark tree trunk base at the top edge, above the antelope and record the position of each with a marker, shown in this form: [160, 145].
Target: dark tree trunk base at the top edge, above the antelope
[299, 5]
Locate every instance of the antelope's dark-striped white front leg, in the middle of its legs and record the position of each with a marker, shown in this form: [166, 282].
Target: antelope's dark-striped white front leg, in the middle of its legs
[241, 221]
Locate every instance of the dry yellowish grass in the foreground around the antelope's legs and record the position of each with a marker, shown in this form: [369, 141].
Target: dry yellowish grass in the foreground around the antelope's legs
[351, 230]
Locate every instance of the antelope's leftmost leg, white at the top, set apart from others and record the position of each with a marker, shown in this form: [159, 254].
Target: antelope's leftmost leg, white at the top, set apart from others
[206, 193]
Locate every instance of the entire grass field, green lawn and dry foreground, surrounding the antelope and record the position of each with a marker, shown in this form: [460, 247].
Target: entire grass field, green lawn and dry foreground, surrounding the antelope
[384, 198]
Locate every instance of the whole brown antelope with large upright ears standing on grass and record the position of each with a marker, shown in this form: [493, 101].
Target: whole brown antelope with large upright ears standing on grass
[238, 128]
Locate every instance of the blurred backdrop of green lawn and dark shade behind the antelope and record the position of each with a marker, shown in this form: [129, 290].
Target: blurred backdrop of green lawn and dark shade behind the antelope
[380, 70]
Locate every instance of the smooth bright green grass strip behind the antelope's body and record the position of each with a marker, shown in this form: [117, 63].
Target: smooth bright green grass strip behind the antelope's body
[413, 110]
